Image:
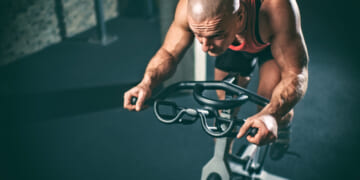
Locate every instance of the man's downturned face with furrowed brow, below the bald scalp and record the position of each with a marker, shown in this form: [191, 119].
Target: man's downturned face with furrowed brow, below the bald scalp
[215, 34]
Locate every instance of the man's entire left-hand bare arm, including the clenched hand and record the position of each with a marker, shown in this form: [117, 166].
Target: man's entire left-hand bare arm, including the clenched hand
[163, 64]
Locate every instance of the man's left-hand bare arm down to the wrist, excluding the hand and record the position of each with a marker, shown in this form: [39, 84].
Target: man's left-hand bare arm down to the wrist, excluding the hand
[177, 40]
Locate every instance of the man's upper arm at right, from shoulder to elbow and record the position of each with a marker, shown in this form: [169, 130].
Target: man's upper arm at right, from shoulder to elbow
[288, 44]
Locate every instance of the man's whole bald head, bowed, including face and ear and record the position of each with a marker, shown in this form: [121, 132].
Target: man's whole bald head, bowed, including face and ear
[215, 23]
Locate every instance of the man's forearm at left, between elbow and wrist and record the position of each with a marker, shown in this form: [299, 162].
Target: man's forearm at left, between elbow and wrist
[161, 67]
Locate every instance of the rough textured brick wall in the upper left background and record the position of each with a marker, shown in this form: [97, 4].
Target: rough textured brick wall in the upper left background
[27, 26]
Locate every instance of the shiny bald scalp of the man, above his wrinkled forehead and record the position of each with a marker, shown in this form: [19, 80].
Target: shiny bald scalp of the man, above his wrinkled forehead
[200, 10]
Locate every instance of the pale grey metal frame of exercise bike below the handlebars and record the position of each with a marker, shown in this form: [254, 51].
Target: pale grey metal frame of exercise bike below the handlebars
[225, 166]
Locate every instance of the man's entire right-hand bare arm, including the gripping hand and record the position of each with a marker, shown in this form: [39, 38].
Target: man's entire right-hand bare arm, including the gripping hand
[279, 24]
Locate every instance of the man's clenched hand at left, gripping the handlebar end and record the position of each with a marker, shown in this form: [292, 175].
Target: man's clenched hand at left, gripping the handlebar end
[141, 92]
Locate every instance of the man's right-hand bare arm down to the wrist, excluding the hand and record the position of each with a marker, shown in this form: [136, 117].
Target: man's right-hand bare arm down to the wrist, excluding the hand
[290, 53]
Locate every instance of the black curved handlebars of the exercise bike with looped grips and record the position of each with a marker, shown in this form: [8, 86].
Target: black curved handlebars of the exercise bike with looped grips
[211, 106]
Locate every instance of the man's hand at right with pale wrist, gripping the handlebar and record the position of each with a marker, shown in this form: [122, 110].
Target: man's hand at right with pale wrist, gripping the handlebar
[267, 129]
